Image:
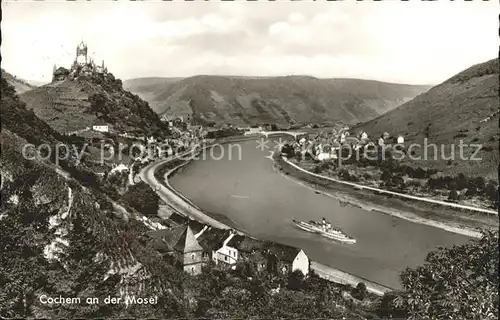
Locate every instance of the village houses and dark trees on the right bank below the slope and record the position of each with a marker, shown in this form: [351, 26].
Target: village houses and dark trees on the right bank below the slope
[386, 162]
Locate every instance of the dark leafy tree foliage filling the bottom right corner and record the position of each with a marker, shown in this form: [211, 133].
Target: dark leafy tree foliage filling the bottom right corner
[454, 283]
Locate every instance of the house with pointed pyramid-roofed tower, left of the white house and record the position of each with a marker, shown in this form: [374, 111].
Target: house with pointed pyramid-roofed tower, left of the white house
[181, 246]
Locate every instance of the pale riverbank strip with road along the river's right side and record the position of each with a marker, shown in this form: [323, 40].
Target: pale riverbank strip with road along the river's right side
[458, 221]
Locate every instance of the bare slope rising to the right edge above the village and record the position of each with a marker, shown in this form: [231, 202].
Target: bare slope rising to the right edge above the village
[464, 107]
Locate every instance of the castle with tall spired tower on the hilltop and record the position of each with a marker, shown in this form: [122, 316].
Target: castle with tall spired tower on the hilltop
[82, 66]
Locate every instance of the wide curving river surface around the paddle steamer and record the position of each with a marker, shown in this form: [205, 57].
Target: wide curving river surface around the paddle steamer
[243, 186]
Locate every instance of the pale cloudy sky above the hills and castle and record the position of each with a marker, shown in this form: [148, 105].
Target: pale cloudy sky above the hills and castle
[406, 42]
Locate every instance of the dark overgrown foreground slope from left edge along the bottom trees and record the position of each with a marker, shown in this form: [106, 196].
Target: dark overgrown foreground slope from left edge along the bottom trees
[69, 240]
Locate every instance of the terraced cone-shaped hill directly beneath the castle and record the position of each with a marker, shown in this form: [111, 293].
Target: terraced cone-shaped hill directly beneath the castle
[71, 105]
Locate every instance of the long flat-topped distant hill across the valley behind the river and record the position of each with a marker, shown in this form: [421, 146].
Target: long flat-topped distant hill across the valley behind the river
[283, 100]
